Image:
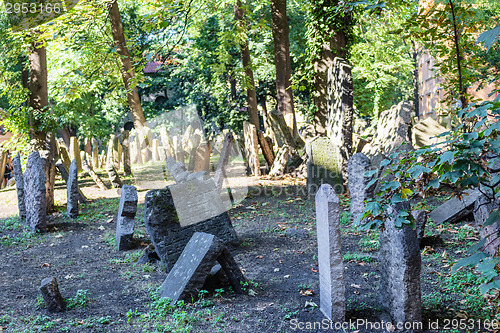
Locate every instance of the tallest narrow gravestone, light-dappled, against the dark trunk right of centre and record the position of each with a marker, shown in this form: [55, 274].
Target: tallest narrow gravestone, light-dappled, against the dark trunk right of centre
[340, 110]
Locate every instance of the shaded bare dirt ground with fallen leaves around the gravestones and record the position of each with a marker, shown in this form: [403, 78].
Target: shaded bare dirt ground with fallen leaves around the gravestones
[108, 291]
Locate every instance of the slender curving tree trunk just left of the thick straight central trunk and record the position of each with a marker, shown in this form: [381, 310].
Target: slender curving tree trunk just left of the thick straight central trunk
[253, 112]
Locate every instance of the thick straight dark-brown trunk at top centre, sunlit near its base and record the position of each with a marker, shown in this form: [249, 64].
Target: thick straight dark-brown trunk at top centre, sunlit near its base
[283, 63]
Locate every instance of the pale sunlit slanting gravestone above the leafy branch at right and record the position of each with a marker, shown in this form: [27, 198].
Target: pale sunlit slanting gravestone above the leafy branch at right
[392, 133]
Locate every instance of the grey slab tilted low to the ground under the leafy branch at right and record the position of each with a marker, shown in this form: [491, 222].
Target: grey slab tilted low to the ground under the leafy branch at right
[454, 209]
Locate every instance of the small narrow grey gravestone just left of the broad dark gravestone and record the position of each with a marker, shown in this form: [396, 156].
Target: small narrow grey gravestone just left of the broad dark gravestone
[125, 219]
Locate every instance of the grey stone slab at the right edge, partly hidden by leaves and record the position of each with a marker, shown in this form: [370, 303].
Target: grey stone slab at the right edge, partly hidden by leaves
[482, 209]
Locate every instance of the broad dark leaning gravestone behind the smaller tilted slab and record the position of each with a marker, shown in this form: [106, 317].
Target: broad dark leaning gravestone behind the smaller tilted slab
[168, 234]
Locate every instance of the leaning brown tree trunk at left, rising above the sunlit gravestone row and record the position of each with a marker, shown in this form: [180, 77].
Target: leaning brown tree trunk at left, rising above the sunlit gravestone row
[128, 72]
